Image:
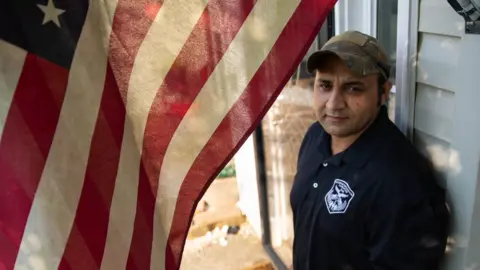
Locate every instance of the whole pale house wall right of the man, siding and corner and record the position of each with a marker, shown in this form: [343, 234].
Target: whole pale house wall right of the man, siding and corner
[446, 124]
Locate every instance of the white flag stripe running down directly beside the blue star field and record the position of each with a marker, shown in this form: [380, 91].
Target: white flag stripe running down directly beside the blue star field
[58, 193]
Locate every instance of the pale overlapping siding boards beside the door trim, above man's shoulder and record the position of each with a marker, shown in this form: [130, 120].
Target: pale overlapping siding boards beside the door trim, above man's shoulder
[438, 55]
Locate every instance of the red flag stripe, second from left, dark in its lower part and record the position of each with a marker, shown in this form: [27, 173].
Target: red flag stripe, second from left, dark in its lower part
[89, 233]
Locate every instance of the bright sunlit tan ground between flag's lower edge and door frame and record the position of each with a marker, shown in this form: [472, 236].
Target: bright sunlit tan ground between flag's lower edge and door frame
[211, 244]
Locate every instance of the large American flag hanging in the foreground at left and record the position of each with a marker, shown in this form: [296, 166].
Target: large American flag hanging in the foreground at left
[116, 115]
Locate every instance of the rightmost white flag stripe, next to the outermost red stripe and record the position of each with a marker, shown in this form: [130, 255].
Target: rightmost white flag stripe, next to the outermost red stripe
[228, 81]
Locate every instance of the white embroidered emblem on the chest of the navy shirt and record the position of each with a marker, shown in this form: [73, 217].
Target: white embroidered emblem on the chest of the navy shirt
[338, 197]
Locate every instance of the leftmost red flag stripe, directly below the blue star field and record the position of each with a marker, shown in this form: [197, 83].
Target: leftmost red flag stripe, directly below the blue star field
[27, 137]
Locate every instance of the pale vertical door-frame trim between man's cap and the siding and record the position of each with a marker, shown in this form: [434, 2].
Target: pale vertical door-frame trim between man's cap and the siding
[406, 68]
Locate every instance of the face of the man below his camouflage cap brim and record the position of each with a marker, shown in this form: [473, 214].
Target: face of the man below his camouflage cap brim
[345, 104]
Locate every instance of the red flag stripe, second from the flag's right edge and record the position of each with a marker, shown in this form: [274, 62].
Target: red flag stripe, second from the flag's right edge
[218, 25]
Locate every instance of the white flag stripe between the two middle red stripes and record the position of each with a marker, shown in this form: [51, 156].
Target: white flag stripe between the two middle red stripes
[165, 38]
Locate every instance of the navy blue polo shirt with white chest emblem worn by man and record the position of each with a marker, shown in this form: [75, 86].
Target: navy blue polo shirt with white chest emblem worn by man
[374, 206]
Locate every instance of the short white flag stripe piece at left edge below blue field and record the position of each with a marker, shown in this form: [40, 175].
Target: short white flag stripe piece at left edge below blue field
[12, 59]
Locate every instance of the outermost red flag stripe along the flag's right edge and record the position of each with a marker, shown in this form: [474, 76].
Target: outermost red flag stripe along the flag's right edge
[251, 107]
